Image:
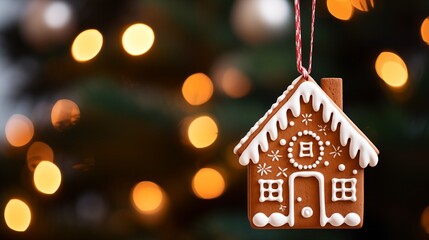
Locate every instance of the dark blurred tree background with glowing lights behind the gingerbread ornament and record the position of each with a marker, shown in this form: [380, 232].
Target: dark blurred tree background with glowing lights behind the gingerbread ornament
[141, 129]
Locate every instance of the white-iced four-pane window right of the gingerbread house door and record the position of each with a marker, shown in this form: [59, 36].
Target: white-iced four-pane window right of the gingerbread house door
[344, 189]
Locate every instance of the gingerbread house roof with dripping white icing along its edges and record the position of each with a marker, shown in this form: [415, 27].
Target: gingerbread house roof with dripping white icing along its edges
[307, 90]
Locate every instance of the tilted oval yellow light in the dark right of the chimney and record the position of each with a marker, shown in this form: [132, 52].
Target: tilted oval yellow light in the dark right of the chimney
[392, 69]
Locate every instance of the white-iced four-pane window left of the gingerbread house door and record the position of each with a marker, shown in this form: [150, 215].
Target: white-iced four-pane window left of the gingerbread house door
[270, 190]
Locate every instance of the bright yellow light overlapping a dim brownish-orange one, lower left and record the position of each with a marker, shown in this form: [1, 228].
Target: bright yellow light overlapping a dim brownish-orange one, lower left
[47, 177]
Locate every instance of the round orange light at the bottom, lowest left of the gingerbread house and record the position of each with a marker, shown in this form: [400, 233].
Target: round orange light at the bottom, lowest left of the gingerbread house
[147, 197]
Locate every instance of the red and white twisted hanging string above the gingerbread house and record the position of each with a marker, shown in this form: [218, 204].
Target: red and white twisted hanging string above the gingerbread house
[298, 41]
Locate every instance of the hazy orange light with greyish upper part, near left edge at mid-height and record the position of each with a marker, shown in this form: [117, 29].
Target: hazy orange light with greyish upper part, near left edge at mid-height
[19, 130]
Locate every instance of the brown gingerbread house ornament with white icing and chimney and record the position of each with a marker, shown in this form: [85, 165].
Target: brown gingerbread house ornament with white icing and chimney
[306, 161]
